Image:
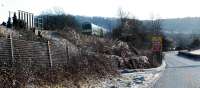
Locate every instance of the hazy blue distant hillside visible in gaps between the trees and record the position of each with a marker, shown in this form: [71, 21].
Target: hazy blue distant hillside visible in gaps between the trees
[175, 25]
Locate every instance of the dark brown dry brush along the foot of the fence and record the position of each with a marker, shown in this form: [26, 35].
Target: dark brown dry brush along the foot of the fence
[77, 70]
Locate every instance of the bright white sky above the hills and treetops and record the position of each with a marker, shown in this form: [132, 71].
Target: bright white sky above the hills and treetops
[141, 9]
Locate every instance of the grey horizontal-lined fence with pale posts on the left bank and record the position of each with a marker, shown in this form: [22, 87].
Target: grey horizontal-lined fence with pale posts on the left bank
[45, 54]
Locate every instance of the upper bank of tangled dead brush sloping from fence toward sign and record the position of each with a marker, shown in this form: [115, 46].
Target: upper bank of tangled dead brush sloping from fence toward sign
[130, 57]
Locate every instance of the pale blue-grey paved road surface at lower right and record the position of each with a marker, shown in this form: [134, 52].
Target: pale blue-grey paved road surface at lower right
[180, 72]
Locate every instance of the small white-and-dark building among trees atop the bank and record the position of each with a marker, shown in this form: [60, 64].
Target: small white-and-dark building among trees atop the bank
[92, 29]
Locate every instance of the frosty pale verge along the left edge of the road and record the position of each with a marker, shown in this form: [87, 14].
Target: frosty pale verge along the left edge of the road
[136, 78]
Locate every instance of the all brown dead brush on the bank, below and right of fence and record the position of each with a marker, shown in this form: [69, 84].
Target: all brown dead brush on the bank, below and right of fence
[98, 58]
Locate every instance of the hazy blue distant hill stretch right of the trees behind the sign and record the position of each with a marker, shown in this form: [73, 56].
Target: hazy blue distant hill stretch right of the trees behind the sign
[182, 25]
